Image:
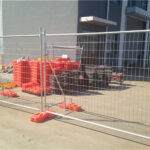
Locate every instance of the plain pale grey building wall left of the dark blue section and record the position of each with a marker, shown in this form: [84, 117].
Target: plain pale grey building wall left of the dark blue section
[26, 17]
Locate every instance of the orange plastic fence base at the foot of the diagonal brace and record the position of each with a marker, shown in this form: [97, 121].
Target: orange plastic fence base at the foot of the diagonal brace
[71, 106]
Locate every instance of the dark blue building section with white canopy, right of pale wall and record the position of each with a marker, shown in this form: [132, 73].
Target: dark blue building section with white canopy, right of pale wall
[116, 15]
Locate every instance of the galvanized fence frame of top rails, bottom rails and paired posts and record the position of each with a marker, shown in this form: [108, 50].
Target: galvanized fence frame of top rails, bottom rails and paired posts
[43, 42]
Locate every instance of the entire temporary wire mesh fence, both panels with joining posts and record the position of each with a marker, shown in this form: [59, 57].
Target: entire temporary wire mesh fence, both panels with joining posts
[100, 79]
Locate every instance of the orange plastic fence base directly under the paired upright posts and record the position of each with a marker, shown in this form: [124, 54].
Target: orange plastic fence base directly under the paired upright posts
[41, 116]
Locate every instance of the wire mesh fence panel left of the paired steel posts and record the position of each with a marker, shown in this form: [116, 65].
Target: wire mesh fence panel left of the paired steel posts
[20, 72]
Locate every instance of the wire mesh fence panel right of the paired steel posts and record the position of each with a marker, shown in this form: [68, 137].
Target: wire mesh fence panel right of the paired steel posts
[109, 79]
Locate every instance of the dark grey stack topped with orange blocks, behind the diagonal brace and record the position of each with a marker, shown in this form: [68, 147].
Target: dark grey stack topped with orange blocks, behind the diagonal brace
[66, 76]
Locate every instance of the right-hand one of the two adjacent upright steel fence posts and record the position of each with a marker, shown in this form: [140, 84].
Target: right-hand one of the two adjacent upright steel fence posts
[45, 47]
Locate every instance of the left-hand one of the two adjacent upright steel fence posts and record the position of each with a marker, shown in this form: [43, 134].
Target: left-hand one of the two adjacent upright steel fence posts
[41, 68]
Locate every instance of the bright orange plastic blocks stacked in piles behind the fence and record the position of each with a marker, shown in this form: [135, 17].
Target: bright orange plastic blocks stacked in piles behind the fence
[27, 73]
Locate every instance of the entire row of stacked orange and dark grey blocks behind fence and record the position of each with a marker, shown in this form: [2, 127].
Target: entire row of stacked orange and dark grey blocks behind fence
[62, 76]
